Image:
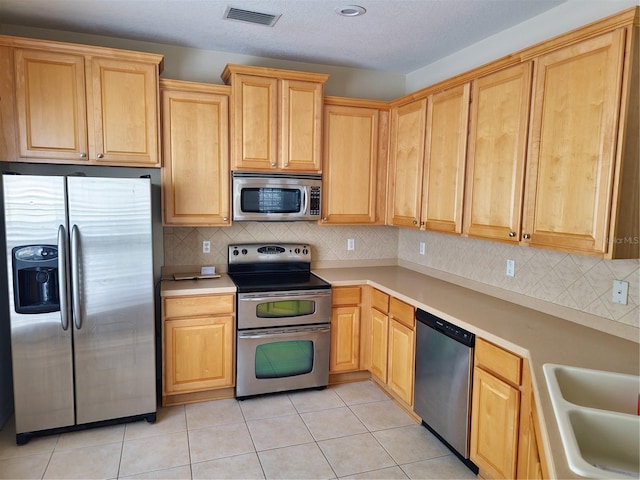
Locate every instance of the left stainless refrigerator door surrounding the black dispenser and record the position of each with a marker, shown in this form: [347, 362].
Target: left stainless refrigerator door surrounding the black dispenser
[41, 349]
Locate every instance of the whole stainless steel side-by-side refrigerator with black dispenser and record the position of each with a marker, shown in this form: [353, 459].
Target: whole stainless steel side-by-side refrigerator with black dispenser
[81, 300]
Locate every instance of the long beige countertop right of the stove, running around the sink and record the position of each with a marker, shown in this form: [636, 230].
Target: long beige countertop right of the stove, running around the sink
[534, 335]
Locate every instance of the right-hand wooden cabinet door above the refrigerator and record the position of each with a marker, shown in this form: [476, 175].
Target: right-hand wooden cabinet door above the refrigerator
[123, 113]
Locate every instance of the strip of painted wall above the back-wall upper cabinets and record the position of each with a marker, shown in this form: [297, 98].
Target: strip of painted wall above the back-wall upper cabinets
[181, 63]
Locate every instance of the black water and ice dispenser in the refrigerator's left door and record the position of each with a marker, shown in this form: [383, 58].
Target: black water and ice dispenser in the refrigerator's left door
[35, 279]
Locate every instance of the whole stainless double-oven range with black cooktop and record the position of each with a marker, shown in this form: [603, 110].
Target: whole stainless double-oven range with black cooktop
[284, 319]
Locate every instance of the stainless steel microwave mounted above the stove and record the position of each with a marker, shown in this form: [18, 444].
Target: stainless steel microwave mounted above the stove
[276, 197]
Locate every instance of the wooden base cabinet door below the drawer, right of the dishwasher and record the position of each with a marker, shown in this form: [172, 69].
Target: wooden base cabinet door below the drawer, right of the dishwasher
[494, 425]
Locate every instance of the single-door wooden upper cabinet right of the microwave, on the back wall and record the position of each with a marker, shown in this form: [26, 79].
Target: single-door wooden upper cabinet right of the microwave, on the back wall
[354, 162]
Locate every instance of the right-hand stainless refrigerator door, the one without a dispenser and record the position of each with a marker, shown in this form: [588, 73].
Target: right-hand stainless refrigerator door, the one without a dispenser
[113, 318]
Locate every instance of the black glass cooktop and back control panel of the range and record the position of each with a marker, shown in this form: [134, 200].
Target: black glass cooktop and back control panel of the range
[259, 267]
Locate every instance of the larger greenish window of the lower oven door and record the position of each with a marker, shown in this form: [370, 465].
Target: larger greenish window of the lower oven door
[284, 359]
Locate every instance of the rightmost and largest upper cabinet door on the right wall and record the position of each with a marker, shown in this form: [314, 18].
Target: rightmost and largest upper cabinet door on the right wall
[573, 143]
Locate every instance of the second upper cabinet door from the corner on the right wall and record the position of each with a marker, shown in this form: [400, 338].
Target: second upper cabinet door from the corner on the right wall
[446, 151]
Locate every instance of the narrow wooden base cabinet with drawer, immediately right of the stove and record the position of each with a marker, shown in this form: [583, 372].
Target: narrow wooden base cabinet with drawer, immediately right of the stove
[345, 329]
